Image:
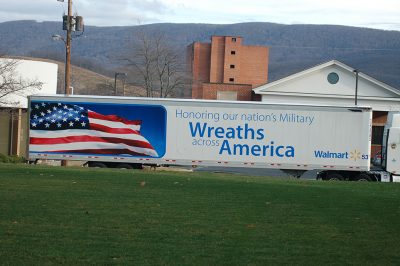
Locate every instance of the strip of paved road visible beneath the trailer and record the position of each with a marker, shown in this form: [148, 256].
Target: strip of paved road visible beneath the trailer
[255, 171]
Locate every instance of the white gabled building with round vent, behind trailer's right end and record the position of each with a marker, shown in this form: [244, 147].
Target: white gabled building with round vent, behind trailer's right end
[334, 83]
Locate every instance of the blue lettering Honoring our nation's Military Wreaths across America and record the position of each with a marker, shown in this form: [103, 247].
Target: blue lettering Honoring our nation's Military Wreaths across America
[241, 134]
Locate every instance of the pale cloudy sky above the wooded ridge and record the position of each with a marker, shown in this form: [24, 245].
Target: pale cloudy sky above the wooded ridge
[383, 14]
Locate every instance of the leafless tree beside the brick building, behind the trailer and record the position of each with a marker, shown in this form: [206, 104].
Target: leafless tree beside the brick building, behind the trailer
[158, 65]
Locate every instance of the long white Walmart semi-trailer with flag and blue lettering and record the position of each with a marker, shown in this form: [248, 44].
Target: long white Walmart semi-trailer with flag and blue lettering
[122, 132]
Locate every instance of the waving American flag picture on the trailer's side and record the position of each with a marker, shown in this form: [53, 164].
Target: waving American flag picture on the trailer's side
[69, 128]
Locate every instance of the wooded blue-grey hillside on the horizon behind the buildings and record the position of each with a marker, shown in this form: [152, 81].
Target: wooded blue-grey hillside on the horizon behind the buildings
[292, 47]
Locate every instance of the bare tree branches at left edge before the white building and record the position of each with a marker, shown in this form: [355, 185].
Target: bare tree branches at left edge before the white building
[12, 83]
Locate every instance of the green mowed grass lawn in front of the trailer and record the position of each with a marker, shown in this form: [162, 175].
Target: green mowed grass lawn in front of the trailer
[52, 215]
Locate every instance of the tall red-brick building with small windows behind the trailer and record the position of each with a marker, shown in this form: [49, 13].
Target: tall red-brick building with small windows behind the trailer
[225, 69]
